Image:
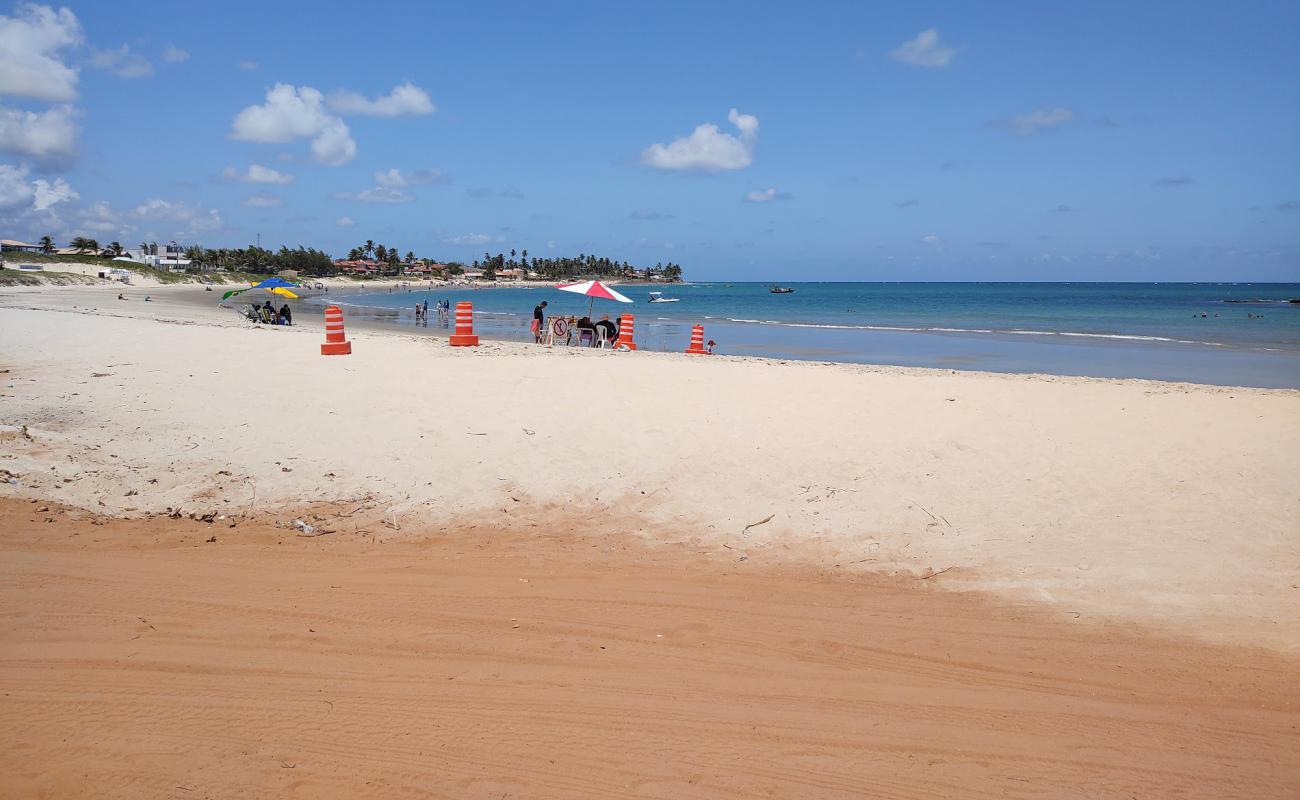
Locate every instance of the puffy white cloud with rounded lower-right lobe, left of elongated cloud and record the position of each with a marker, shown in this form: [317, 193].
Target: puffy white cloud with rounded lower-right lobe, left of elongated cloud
[293, 114]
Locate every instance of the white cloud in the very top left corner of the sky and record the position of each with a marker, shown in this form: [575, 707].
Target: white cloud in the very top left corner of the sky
[29, 53]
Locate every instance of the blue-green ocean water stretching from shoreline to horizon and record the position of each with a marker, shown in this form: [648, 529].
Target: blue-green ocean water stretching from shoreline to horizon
[1215, 334]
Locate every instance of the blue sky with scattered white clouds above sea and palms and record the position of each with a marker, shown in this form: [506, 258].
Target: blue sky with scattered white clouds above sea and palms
[774, 141]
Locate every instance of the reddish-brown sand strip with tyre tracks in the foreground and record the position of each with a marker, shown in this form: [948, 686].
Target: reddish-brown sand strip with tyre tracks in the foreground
[144, 660]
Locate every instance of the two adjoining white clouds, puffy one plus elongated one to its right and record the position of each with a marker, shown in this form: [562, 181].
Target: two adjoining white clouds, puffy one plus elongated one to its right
[302, 113]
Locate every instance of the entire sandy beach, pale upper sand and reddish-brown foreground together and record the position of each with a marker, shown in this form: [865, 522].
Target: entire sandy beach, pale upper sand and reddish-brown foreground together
[943, 555]
